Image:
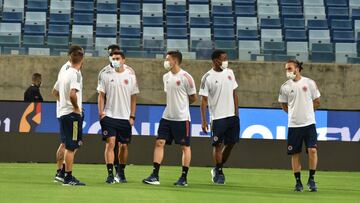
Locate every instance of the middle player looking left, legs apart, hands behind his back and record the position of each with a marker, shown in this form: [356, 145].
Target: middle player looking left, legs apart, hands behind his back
[180, 92]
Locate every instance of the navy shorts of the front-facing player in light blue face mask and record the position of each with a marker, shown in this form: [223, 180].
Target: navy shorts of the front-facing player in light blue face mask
[119, 128]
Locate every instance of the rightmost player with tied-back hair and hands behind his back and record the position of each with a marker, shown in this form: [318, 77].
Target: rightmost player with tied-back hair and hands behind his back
[299, 98]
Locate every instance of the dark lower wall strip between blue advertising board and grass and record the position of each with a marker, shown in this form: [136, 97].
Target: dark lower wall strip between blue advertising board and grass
[333, 156]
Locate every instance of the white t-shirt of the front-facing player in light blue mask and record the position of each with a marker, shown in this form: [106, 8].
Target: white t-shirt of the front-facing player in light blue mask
[118, 88]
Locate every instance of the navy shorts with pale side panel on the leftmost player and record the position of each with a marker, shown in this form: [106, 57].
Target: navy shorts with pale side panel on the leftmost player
[71, 125]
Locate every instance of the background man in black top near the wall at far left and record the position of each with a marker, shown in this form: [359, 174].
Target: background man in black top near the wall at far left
[32, 94]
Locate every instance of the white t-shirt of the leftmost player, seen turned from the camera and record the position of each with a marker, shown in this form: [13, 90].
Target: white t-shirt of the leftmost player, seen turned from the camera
[69, 79]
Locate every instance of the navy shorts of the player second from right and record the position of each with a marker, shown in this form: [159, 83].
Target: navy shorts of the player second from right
[225, 130]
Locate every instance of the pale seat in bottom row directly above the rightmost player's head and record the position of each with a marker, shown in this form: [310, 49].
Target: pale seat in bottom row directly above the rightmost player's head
[299, 50]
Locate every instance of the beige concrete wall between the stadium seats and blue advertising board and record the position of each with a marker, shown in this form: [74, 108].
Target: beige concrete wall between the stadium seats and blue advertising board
[259, 82]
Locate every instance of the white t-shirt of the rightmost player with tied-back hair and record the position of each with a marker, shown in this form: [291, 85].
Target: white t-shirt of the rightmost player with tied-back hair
[299, 96]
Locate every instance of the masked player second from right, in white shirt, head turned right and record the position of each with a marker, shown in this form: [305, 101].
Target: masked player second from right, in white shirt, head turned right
[218, 91]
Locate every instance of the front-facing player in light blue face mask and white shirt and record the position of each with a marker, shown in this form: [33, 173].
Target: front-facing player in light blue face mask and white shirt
[117, 113]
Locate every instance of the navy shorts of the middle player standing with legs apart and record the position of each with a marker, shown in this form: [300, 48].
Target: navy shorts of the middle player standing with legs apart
[179, 131]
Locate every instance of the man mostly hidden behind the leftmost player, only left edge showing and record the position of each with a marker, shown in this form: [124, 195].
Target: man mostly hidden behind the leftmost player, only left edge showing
[60, 172]
